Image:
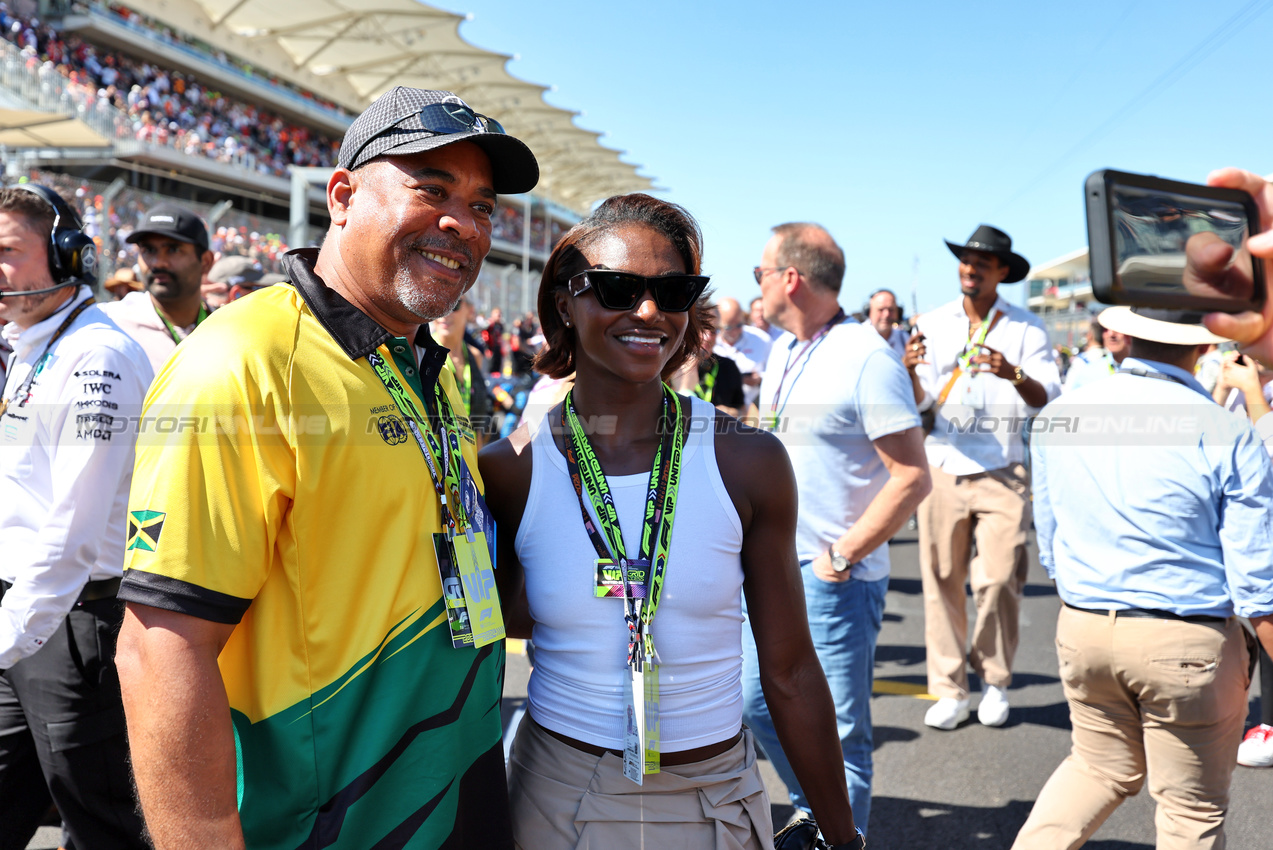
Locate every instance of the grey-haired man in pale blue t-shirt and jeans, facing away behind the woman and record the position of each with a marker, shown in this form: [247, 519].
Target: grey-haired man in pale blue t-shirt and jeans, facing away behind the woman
[846, 414]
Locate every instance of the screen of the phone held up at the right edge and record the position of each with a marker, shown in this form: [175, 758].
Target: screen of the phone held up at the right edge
[1169, 244]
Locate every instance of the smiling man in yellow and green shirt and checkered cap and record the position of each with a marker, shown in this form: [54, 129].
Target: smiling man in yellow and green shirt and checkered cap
[288, 671]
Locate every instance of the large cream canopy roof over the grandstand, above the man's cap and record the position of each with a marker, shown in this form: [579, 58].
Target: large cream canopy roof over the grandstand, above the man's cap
[352, 52]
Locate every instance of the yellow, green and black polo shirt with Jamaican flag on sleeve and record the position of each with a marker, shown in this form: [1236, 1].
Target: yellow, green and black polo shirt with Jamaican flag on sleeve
[277, 488]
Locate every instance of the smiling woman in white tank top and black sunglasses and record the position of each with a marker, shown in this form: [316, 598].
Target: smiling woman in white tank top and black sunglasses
[631, 525]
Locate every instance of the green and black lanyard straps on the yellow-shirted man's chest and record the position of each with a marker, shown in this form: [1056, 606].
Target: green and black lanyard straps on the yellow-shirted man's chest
[439, 438]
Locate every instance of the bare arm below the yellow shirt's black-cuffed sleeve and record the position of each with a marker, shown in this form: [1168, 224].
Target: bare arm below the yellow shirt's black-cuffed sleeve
[180, 732]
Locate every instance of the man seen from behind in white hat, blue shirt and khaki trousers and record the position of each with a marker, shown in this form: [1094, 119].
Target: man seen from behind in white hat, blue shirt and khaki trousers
[1154, 575]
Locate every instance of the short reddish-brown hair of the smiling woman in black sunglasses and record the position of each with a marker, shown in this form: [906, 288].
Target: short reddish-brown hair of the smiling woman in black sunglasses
[557, 358]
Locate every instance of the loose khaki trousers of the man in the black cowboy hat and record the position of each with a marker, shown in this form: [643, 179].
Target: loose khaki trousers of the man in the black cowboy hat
[992, 510]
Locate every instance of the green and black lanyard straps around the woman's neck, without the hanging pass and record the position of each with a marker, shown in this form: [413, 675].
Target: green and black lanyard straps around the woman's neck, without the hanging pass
[665, 479]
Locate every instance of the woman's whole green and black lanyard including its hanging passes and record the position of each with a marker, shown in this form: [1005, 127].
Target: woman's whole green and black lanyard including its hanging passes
[641, 601]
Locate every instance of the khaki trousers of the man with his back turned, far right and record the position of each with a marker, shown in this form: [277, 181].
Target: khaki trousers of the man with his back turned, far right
[1163, 699]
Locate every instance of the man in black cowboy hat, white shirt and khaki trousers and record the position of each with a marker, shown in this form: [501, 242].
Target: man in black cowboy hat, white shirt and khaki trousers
[982, 367]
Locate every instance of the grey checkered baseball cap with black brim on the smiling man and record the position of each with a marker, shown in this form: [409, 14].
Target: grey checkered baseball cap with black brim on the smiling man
[393, 127]
